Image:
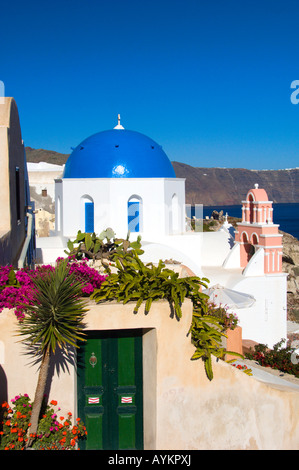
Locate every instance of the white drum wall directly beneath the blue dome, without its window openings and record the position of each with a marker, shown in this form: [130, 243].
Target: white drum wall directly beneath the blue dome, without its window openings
[110, 198]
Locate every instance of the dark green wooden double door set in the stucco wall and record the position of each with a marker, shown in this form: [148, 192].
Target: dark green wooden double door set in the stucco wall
[109, 389]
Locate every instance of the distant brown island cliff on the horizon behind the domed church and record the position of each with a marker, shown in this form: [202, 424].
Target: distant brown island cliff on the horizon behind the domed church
[213, 186]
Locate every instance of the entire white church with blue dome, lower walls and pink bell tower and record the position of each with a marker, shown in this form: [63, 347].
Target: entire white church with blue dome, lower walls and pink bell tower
[122, 179]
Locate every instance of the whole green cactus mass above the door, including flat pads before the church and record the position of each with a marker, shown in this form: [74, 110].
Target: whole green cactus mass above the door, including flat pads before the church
[141, 283]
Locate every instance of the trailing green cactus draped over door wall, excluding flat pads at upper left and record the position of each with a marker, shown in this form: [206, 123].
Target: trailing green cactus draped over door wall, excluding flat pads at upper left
[137, 282]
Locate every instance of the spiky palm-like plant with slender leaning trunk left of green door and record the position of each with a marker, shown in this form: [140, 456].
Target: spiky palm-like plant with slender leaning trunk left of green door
[55, 321]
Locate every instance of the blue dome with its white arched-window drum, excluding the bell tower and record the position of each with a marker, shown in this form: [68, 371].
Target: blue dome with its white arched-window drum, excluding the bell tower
[121, 179]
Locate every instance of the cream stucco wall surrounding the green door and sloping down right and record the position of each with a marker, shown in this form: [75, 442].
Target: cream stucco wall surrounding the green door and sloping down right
[182, 408]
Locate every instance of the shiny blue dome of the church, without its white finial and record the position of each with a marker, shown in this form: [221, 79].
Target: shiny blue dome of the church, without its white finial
[118, 153]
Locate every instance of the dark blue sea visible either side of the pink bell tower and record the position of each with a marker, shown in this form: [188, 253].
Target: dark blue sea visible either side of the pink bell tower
[285, 215]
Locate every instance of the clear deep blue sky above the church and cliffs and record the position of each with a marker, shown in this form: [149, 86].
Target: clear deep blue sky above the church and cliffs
[208, 80]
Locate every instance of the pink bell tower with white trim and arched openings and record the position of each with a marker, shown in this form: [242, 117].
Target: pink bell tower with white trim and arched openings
[258, 231]
